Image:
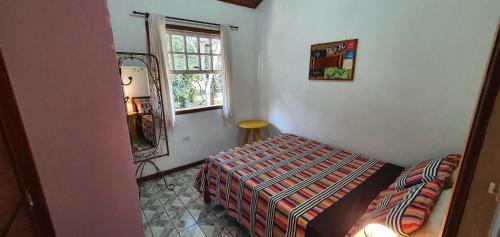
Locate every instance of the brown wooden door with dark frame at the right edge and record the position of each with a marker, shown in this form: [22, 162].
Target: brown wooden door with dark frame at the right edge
[473, 208]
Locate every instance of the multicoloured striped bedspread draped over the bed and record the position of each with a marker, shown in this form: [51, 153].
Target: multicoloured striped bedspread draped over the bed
[277, 186]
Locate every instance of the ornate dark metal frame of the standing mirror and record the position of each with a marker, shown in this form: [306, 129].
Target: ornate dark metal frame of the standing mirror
[151, 63]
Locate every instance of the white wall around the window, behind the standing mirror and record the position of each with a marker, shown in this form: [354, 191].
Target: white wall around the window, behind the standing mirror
[207, 130]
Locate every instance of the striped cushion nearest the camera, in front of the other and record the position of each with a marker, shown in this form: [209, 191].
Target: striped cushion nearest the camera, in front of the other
[404, 211]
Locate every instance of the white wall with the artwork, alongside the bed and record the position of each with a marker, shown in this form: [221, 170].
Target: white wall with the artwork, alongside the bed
[418, 71]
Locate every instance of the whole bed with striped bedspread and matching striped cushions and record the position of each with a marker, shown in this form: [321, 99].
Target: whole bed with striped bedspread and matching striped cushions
[288, 185]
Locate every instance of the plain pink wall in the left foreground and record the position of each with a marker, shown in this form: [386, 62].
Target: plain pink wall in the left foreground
[60, 58]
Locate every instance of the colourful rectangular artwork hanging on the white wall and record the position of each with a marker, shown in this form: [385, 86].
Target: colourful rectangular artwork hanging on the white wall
[333, 61]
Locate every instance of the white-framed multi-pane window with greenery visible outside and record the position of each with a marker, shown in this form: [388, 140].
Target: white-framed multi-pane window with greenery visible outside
[195, 62]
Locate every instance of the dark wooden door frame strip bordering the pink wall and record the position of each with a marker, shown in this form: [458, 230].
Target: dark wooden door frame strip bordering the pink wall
[21, 157]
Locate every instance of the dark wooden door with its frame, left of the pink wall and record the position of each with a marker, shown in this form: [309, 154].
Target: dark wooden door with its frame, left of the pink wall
[23, 210]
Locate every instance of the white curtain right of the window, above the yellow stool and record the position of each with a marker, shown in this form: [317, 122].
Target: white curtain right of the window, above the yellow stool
[225, 35]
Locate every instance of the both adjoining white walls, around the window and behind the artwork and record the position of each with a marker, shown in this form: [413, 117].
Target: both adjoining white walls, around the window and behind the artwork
[418, 72]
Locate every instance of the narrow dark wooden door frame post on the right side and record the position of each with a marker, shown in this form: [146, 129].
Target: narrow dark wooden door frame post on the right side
[477, 133]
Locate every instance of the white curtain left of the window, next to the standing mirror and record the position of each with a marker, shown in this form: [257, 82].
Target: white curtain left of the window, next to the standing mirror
[158, 44]
